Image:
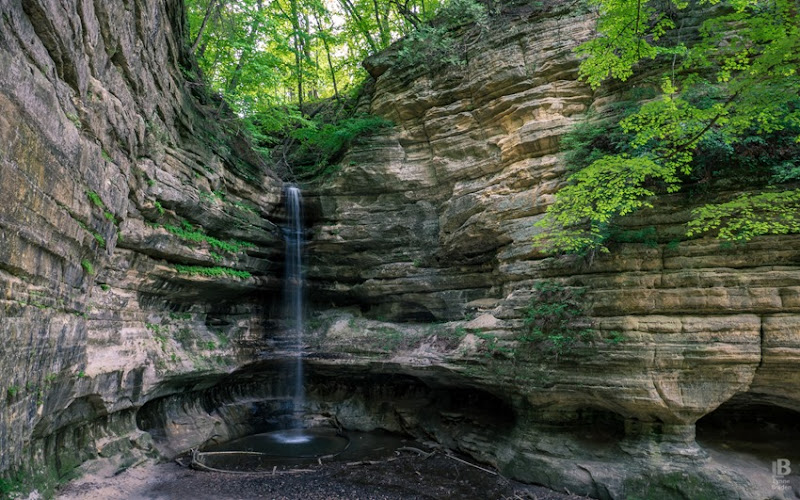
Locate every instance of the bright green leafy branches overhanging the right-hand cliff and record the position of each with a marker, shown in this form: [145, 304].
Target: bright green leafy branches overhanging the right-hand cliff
[729, 106]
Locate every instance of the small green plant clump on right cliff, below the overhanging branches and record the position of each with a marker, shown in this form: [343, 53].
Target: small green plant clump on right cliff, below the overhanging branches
[556, 318]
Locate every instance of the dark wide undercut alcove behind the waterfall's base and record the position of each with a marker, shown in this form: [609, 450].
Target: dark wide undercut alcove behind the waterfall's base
[258, 398]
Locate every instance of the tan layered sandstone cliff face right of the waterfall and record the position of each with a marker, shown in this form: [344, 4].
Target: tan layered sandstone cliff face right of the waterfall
[434, 219]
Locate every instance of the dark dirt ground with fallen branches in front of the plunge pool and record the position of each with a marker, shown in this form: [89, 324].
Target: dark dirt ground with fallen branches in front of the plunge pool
[401, 475]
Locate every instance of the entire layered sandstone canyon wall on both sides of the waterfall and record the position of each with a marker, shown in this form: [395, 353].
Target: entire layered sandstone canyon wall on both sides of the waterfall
[141, 255]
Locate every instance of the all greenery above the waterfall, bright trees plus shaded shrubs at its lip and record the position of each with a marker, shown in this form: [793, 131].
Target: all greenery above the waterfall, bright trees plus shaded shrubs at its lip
[291, 68]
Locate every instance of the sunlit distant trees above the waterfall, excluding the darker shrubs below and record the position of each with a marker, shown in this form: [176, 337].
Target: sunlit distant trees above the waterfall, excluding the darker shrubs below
[262, 53]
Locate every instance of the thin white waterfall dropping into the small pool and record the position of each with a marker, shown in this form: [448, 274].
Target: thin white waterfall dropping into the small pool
[293, 292]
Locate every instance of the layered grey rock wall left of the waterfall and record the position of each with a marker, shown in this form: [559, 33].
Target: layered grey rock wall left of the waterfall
[107, 153]
